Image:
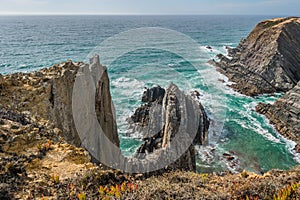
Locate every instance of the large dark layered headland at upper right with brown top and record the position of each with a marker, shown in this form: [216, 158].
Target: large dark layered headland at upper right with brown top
[267, 61]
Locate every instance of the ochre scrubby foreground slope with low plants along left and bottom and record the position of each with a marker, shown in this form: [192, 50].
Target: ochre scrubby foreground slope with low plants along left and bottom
[37, 162]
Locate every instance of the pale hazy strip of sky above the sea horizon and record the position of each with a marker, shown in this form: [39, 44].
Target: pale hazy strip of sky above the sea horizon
[248, 7]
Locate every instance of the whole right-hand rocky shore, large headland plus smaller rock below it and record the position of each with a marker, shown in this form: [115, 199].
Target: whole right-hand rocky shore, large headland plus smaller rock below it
[268, 61]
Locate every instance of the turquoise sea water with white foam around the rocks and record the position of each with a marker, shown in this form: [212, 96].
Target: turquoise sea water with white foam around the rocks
[33, 42]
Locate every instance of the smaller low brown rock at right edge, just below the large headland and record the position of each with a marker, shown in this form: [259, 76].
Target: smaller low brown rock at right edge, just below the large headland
[285, 114]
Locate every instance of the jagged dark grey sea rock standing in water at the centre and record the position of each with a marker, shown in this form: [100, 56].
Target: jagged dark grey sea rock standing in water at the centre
[160, 120]
